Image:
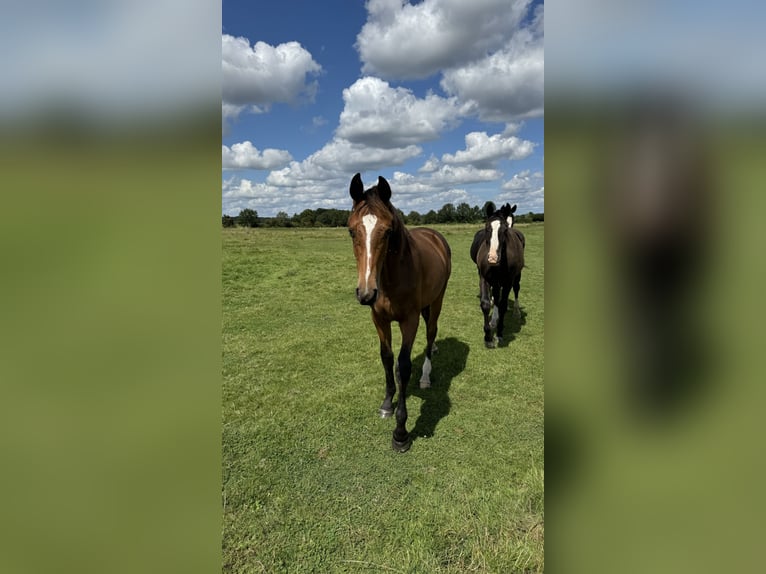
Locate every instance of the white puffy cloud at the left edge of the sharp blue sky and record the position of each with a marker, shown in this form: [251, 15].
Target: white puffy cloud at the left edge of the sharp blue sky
[263, 74]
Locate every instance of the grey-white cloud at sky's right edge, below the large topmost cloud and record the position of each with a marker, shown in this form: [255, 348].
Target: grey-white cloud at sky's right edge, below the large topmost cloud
[507, 84]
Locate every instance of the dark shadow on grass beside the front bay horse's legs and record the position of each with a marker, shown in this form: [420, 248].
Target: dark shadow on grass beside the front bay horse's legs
[448, 362]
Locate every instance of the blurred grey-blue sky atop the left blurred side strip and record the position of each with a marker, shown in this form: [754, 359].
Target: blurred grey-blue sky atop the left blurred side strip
[108, 61]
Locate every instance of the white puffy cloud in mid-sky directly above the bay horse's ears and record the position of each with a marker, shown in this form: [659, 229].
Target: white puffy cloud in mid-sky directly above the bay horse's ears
[378, 115]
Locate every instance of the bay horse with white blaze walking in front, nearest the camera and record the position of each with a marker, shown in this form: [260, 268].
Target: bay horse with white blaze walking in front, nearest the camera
[401, 274]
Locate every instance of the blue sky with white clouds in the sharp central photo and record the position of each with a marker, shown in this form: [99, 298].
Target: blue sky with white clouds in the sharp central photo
[444, 98]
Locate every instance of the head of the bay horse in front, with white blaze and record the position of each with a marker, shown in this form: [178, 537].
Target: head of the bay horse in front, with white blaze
[374, 227]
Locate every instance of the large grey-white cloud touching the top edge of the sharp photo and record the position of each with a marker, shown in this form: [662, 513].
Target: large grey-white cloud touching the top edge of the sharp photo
[402, 40]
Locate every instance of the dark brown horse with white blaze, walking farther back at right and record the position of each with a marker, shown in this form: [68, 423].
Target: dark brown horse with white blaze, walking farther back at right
[498, 251]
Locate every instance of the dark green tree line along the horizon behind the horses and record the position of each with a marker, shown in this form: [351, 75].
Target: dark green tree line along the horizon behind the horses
[321, 217]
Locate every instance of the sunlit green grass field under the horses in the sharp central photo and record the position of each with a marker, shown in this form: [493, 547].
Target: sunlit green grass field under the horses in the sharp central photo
[310, 482]
